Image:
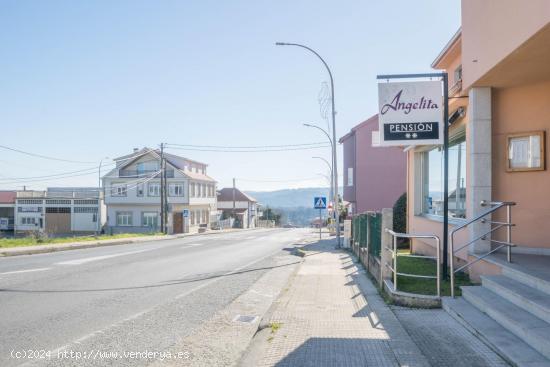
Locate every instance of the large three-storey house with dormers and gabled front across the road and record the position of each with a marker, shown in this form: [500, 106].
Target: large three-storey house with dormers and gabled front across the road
[133, 193]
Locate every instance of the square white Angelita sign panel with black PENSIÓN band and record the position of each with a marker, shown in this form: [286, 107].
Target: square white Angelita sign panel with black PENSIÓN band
[410, 113]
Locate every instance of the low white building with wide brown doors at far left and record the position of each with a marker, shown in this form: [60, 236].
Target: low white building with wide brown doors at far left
[59, 210]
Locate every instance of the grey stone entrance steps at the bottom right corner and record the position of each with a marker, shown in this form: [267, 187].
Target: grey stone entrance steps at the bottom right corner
[510, 313]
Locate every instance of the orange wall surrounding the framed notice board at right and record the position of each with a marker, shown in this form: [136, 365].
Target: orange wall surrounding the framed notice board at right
[517, 110]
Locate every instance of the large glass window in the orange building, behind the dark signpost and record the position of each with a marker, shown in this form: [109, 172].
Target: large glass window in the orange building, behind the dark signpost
[432, 179]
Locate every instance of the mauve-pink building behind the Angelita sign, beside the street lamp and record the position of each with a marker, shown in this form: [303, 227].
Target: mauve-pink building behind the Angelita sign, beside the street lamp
[374, 177]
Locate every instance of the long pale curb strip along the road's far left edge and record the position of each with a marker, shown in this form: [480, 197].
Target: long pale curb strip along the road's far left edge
[31, 250]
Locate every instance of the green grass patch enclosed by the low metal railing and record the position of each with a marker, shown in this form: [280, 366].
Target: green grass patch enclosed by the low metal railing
[419, 266]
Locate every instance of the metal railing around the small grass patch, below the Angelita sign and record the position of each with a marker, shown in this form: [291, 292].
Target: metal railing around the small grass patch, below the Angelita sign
[437, 258]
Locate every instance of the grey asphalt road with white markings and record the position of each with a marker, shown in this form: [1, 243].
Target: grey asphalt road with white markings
[129, 297]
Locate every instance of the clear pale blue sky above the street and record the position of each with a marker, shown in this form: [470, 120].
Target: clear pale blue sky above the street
[83, 81]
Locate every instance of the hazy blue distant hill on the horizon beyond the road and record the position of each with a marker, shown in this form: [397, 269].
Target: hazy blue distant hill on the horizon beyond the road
[289, 198]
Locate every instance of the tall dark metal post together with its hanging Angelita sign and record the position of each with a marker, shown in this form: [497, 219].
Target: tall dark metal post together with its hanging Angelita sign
[417, 113]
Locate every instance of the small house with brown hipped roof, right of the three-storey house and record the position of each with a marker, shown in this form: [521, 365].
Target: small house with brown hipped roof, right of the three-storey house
[232, 202]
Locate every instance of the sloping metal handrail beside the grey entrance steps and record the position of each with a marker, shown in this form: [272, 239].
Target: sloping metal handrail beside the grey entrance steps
[495, 205]
